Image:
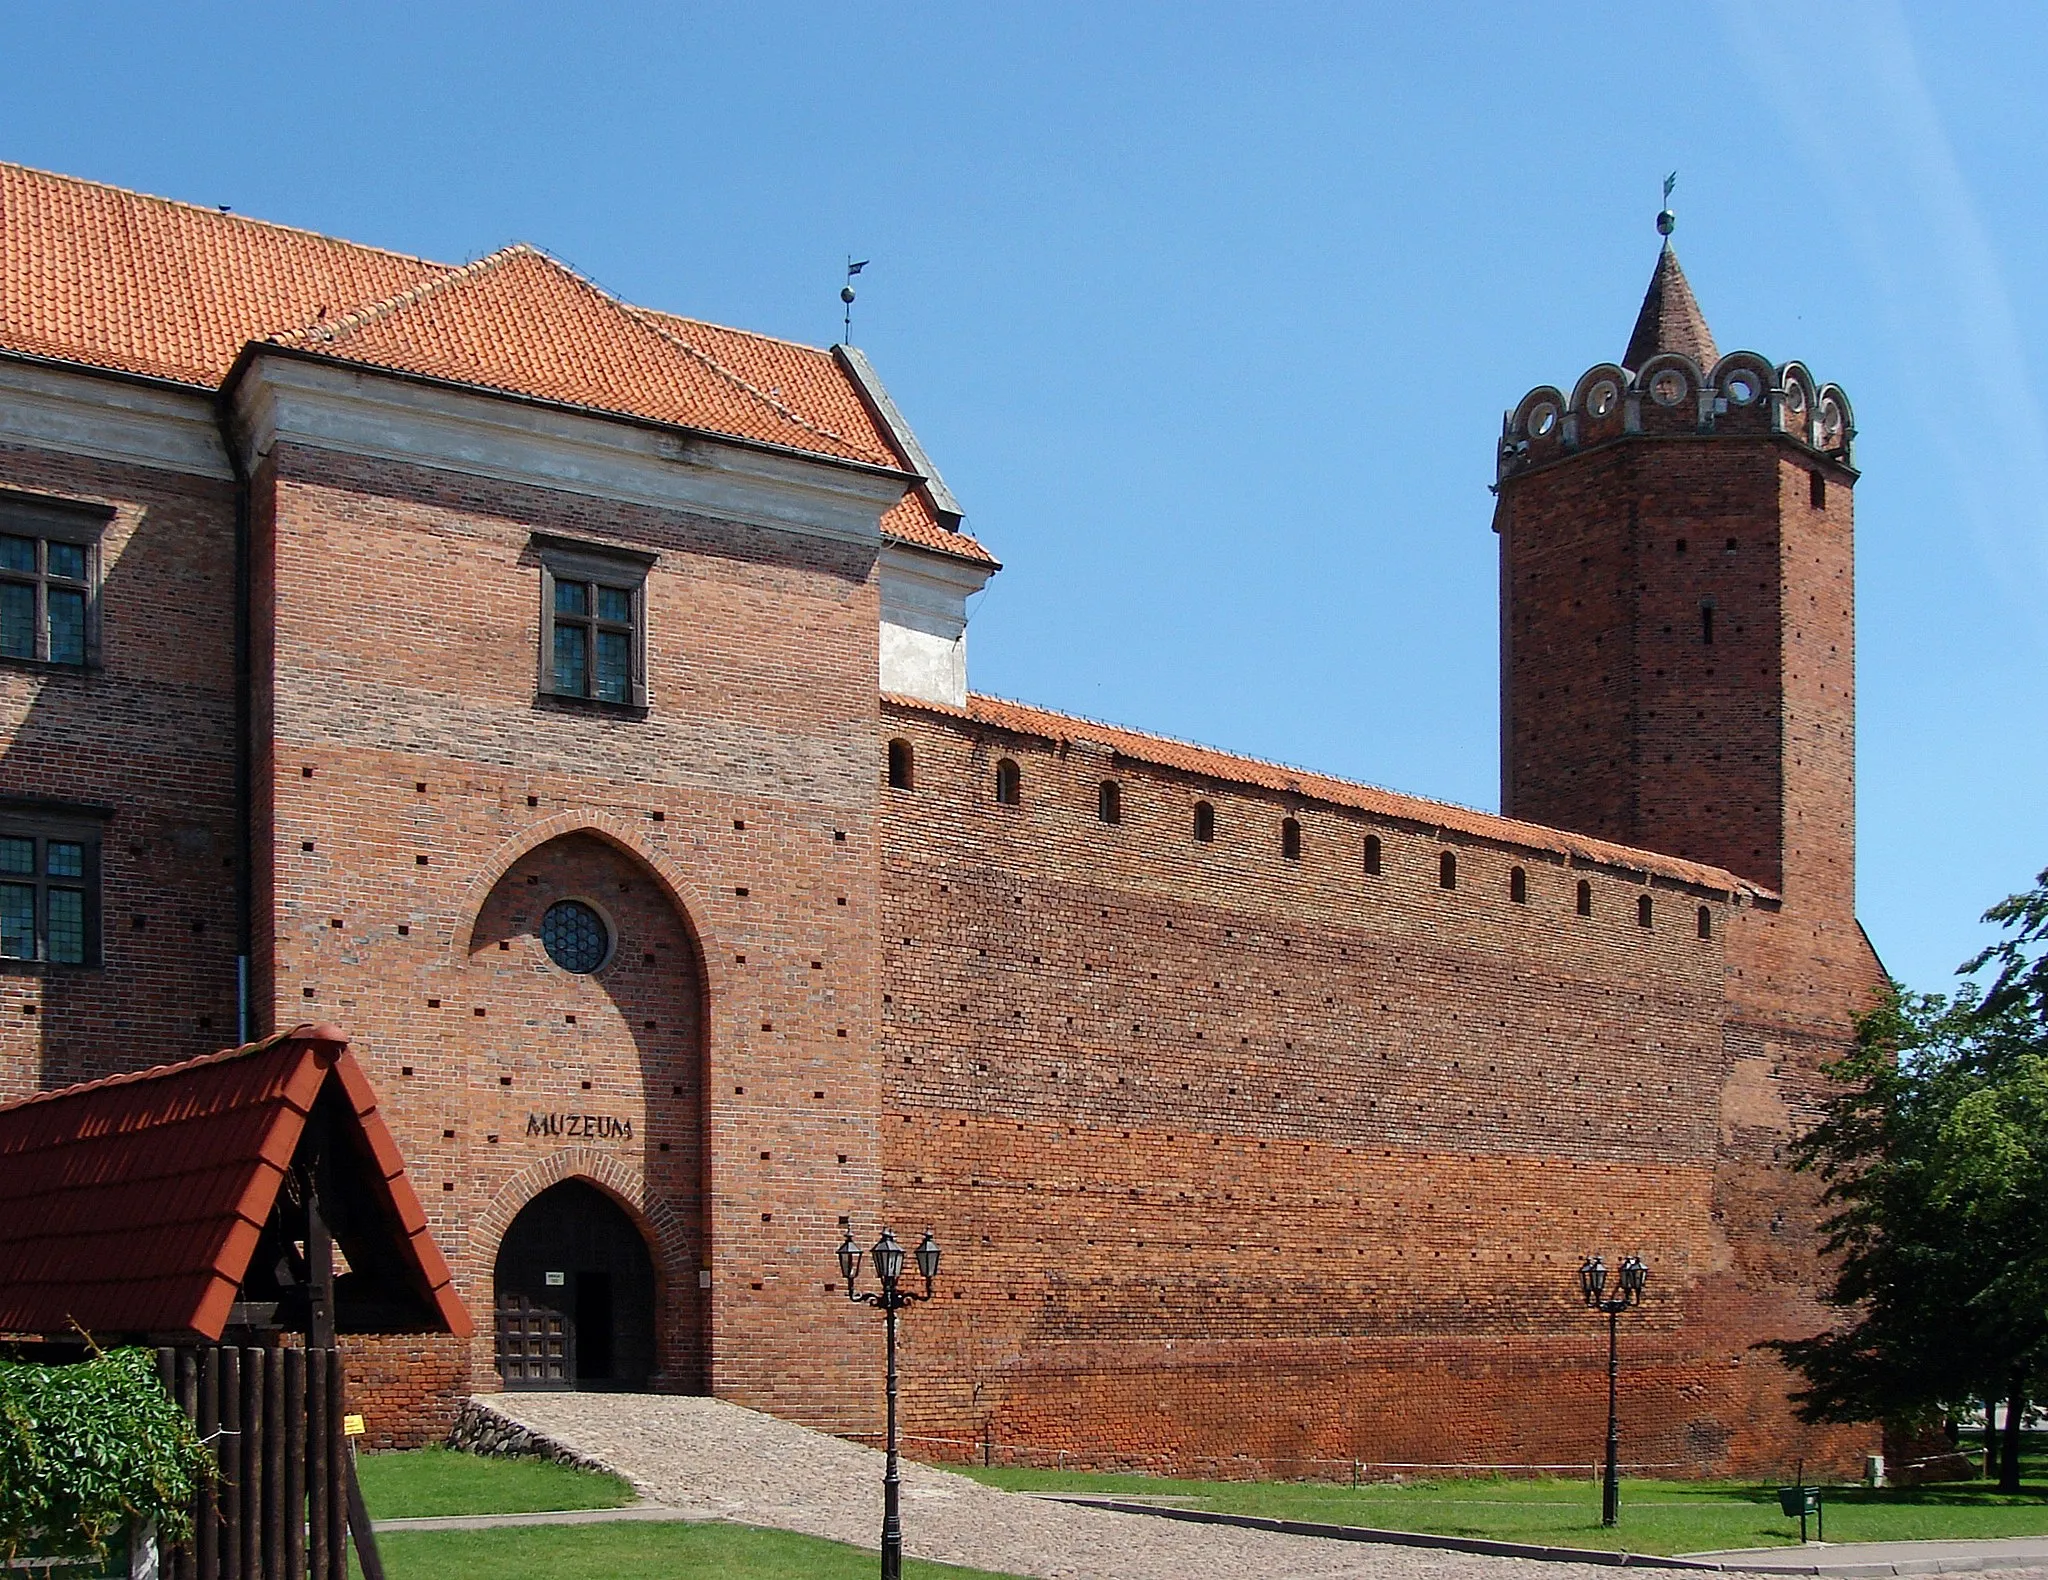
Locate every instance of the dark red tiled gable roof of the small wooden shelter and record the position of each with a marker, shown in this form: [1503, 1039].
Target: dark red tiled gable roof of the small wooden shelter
[134, 1204]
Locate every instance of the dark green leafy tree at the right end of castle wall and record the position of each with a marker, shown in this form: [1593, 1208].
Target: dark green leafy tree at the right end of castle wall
[1934, 1149]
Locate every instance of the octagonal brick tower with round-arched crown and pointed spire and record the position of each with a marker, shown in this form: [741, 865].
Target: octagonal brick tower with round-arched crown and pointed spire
[1678, 667]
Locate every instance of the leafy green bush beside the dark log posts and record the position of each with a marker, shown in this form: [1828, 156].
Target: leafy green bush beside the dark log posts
[89, 1448]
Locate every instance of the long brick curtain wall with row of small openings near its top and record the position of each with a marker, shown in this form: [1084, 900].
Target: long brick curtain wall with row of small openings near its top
[1250, 1161]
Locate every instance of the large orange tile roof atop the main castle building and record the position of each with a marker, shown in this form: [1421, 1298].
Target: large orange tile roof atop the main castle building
[138, 284]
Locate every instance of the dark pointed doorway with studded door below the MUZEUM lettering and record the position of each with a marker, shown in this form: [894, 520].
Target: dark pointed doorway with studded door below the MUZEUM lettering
[574, 1294]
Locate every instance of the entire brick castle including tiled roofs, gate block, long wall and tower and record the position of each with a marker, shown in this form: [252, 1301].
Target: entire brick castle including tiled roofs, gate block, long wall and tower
[570, 702]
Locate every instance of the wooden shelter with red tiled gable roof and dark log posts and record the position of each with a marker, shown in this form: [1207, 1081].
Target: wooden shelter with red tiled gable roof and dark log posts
[198, 1208]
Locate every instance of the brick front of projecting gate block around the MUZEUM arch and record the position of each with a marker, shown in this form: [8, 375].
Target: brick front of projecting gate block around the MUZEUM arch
[425, 808]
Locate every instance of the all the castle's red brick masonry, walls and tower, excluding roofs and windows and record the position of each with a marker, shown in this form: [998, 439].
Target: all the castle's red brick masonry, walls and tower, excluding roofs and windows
[1240, 1157]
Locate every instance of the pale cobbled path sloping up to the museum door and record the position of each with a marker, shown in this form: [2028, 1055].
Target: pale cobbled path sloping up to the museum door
[759, 1470]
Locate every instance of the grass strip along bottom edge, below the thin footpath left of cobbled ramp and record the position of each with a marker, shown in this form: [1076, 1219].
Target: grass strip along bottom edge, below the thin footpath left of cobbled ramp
[648, 1552]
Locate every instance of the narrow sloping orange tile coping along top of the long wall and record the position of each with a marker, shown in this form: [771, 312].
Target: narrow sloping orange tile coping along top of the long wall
[1209, 763]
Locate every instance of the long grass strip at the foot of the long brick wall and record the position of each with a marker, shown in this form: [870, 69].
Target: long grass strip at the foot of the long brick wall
[1658, 1517]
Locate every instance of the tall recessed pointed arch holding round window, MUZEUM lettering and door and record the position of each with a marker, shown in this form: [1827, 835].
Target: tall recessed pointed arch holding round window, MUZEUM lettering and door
[593, 1061]
